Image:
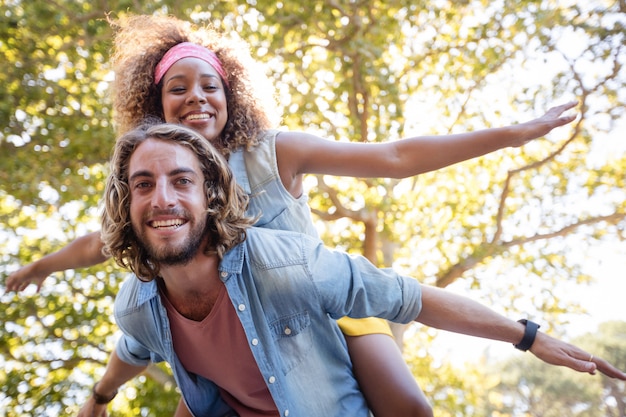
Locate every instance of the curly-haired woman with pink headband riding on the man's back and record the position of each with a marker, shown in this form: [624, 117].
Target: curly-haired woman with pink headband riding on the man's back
[165, 68]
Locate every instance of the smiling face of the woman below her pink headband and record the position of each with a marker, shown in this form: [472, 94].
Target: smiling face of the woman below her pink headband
[193, 95]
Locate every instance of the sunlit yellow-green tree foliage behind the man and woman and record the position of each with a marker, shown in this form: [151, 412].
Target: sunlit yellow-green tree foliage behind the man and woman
[359, 70]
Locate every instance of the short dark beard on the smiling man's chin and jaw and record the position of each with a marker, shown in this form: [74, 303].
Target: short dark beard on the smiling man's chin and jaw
[170, 255]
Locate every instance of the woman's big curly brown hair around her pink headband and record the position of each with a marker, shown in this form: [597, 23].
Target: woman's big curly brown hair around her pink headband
[140, 41]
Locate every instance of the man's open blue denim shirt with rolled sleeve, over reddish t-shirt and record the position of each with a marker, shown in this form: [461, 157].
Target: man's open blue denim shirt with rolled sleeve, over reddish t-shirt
[288, 290]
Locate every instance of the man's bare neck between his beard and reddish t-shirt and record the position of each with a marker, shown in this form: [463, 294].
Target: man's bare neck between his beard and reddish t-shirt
[193, 288]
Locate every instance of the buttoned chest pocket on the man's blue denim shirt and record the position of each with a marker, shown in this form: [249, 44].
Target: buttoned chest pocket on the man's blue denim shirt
[293, 336]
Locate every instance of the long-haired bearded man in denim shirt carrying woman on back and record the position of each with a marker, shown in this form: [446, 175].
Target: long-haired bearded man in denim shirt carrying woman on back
[246, 316]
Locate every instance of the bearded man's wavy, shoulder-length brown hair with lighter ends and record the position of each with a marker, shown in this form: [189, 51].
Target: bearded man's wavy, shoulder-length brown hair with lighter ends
[226, 201]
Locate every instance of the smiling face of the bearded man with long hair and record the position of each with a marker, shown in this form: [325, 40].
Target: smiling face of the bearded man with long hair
[167, 201]
